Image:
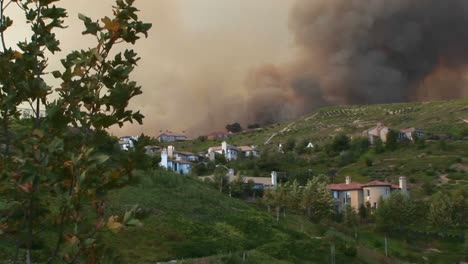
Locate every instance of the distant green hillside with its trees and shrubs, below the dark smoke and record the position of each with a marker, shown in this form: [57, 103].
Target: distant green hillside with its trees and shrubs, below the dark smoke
[432, 163]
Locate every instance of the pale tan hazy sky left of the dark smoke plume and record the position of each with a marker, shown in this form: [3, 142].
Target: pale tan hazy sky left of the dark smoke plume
[197, 55]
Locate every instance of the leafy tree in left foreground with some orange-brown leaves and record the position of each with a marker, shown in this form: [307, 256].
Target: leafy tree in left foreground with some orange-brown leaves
[60, 162]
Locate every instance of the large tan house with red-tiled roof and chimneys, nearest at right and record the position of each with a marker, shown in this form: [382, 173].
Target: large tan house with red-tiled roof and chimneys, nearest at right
[356, 194]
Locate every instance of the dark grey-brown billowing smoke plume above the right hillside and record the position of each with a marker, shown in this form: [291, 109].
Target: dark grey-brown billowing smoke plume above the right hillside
[366, 51]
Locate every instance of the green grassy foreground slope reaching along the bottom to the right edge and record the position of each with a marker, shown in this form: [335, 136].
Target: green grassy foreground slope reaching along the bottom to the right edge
[185, 219]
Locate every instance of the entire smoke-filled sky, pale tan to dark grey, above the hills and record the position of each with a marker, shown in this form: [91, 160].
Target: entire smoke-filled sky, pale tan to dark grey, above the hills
[212, 62]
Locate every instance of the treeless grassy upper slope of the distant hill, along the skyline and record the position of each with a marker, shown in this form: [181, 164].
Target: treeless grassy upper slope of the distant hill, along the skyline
[323, 124]
